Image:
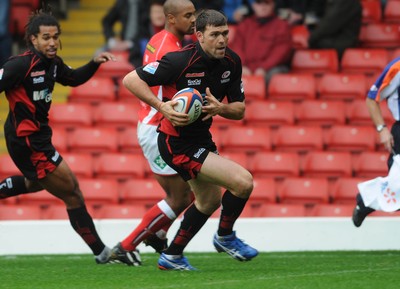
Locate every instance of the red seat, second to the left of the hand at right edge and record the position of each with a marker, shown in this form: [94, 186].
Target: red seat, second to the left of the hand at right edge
[298, 138]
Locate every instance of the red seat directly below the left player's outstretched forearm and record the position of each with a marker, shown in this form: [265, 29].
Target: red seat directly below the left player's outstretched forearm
[96, 90]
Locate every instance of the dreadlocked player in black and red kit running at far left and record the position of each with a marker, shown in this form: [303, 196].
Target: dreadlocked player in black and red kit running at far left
[28, 81]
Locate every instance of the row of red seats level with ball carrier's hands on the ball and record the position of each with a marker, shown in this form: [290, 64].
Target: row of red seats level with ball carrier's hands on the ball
[272, 113]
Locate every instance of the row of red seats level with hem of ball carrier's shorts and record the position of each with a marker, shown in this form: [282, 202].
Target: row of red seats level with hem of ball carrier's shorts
[274, 164]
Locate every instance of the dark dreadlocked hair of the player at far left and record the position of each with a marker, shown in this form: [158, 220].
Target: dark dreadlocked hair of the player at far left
[42, 17]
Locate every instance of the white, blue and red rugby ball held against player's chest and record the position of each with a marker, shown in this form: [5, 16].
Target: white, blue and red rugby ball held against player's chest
[190, 101]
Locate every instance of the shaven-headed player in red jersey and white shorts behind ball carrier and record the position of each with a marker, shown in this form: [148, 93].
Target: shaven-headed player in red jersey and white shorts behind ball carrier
[180, 19]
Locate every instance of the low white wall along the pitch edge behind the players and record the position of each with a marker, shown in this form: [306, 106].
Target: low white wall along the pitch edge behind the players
[265, 234]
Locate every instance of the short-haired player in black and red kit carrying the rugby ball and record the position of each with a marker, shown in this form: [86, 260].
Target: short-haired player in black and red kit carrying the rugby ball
[213, 69]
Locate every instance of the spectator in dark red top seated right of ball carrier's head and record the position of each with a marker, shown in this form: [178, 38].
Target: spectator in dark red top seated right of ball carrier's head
[268, 48]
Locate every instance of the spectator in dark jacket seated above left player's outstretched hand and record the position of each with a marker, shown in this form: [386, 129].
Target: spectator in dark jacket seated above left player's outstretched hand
[126, 12]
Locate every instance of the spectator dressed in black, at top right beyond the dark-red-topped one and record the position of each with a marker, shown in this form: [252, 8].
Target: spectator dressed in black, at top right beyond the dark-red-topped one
[338, 27]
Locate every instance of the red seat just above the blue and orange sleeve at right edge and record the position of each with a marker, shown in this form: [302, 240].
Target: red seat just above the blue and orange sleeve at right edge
[364, 60]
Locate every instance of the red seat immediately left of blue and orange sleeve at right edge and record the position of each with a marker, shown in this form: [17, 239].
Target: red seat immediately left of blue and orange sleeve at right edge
[336, 86]
